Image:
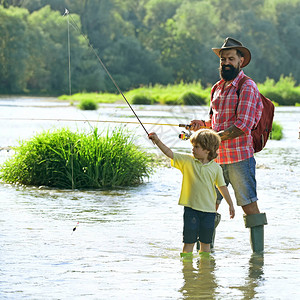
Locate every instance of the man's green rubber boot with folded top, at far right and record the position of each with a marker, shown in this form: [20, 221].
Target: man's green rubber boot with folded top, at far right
[256, 224]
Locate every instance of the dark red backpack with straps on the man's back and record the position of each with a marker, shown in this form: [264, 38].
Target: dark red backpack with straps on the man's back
[260, 133]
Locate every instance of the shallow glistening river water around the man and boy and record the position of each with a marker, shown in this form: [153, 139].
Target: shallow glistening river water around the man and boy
[127, 242]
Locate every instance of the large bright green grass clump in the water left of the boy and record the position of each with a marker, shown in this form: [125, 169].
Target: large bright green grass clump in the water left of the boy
[74, 160]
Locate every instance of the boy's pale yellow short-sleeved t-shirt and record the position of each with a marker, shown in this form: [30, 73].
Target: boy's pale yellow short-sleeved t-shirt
[198, 183]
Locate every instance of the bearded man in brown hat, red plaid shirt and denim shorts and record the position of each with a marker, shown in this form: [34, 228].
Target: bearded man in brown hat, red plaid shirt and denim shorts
[233, 114]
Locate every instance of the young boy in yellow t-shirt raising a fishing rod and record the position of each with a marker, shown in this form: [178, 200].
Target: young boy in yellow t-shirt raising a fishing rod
[198, 195]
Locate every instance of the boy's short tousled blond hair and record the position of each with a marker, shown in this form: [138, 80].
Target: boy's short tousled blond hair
[209, 140]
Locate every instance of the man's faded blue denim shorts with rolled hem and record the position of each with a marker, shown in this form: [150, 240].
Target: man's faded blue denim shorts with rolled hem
[241, 176]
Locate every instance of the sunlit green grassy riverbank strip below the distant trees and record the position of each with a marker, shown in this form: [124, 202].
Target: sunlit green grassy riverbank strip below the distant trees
[284, 92]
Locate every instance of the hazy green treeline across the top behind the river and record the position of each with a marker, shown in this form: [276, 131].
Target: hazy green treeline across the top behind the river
[141, 42]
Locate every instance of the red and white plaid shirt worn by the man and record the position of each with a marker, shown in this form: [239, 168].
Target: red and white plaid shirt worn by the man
[244, 112]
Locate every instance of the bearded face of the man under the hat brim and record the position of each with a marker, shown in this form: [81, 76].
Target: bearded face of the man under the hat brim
[230, 63]
